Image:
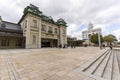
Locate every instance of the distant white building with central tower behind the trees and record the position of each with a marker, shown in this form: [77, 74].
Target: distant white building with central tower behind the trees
[86, 35]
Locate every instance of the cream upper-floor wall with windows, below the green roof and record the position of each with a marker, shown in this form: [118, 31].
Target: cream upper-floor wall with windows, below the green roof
[34, 23]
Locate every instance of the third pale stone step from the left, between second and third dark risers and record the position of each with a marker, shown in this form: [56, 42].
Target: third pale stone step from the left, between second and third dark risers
[100, 69]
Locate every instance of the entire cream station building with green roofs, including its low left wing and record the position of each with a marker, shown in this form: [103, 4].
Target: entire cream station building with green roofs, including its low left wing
[34, 30]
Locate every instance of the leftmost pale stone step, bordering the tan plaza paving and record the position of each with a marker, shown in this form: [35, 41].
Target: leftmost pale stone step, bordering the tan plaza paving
[93, 60]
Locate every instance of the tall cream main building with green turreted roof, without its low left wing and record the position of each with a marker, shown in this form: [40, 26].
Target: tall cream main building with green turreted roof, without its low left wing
[39, 30]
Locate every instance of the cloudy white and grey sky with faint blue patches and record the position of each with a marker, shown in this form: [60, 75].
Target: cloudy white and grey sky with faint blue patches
[104, 14]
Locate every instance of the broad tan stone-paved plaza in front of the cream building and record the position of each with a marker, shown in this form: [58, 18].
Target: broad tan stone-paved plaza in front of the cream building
[45, 64]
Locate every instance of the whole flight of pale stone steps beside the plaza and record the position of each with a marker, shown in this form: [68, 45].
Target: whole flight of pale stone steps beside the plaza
[103, 67]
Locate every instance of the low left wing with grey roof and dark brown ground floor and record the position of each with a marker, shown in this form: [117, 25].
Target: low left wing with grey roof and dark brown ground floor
[11, 35]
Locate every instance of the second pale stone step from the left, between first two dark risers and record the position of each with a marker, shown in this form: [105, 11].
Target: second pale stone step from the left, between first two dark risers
[91, 69]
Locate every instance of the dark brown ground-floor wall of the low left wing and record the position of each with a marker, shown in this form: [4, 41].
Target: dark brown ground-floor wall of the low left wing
[11, 42]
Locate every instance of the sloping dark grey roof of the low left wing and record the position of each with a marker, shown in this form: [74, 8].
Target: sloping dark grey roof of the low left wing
[10, 26]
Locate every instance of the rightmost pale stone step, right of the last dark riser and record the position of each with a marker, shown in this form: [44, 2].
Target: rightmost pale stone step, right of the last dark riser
[116, 73]
